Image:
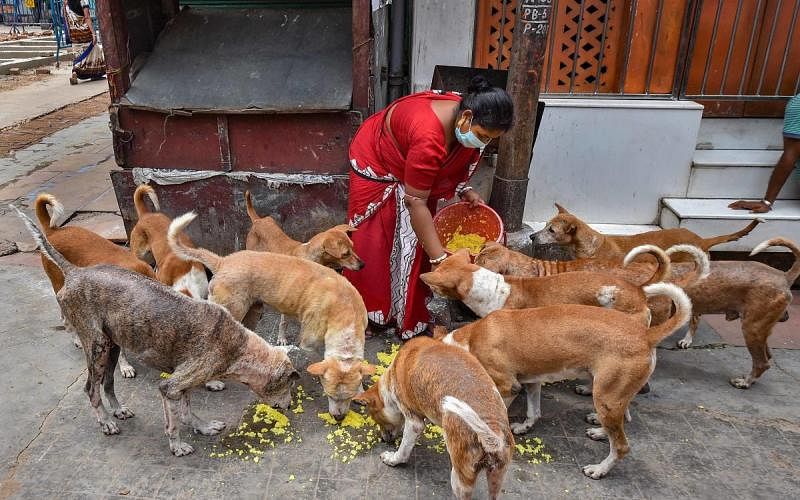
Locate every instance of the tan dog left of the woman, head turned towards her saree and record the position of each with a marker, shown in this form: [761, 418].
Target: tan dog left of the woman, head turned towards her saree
[332, 248]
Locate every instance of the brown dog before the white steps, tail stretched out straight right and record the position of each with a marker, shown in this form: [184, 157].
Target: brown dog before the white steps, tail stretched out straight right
[567, 229]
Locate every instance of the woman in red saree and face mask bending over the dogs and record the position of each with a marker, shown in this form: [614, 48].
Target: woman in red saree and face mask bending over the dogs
[421, 149]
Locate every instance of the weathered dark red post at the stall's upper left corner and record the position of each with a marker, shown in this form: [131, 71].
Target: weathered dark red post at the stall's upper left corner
[114, 33]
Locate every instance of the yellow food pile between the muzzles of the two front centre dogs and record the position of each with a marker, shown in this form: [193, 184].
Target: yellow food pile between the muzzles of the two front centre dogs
[354, 435]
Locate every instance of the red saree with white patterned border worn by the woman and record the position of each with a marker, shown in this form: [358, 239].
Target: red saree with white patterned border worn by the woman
[385, 241]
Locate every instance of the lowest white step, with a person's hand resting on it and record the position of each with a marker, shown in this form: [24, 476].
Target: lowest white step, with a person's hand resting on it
[712, 217]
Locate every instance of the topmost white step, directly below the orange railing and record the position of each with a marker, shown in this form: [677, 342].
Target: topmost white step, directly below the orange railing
[740, 133]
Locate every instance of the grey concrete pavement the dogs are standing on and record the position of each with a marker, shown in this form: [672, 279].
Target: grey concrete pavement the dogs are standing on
[692, 436]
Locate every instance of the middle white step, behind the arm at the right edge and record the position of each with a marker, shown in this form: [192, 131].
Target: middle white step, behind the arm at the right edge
[727, 173]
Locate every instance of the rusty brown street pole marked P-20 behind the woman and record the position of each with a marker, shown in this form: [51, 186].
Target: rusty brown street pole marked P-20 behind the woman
[524, 74]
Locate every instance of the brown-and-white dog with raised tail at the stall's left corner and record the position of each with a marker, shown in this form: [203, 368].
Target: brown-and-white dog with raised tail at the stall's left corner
[150, 235]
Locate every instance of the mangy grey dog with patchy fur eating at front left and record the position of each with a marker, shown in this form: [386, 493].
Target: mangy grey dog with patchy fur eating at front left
[113, 308]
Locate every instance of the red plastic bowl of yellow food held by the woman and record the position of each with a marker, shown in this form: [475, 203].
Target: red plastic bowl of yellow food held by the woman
[480, 220]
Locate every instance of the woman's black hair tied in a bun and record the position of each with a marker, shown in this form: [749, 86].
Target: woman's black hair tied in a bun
[491, 107]
